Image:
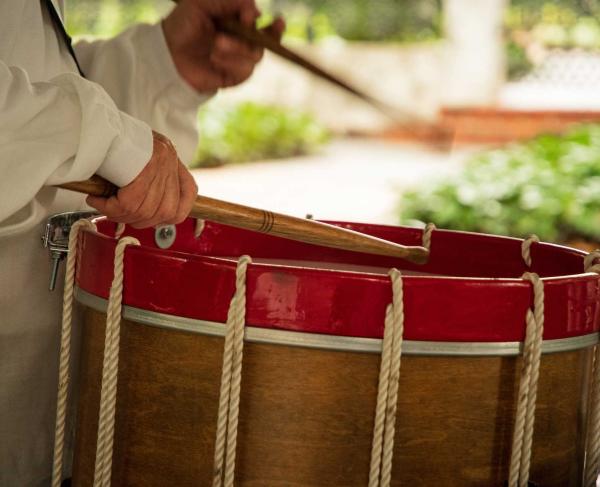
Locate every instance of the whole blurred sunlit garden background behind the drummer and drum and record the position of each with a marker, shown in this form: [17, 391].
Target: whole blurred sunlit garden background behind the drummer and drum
[502, 99]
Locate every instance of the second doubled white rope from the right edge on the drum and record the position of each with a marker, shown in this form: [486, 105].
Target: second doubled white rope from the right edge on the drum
[525, 415]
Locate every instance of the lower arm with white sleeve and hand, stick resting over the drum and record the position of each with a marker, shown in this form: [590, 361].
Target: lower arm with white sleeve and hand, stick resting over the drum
[67, 129]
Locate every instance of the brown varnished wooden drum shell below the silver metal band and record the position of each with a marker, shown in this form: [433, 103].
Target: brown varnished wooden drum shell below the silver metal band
[306, 414]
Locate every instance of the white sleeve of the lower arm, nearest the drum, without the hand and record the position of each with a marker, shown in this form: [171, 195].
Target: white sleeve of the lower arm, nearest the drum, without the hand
[64, 129]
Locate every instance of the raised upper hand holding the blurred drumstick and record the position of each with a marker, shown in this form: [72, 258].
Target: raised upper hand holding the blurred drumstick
[208, 59]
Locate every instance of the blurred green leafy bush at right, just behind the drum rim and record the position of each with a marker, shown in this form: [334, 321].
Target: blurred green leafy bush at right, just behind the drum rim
[549, 186]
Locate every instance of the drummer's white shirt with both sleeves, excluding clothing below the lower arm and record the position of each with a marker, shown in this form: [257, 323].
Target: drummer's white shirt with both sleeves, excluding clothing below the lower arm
[56, 126]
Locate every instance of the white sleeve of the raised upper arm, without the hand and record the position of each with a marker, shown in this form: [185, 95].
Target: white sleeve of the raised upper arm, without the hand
[137, 70]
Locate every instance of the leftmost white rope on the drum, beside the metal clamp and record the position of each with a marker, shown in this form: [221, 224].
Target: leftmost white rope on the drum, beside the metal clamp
[65, 352]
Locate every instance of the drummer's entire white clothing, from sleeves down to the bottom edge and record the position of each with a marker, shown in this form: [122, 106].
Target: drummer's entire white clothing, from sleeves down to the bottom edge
[56, 126]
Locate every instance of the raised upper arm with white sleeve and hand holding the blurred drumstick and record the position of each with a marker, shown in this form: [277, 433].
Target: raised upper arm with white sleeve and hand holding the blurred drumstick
[161, 73]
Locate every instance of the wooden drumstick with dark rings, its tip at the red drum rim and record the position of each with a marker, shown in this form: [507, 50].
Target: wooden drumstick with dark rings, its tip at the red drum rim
[293, 228]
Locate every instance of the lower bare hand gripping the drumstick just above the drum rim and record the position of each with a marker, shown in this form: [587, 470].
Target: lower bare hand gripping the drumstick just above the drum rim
[163, 193]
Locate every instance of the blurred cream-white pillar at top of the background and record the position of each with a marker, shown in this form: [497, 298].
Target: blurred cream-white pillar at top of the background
[475, 70]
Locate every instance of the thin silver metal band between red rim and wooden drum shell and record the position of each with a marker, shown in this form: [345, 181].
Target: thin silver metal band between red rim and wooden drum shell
[333, 342]
